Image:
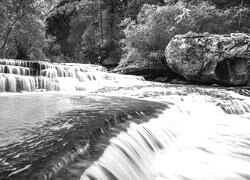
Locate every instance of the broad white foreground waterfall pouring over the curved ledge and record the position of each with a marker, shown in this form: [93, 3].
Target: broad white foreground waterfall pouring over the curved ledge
[195, 139]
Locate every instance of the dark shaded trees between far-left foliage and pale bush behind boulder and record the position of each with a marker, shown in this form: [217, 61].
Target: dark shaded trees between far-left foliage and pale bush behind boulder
[72, 20]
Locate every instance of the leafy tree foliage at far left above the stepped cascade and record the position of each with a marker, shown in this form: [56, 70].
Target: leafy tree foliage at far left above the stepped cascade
[22, 29]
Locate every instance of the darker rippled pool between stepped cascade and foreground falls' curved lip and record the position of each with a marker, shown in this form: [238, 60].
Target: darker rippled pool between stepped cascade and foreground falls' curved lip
[43, 130]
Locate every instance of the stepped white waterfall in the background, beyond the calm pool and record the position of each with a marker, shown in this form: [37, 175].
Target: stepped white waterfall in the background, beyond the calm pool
[18, 76]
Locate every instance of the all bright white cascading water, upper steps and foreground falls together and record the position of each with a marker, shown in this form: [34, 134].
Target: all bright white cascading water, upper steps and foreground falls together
[204, 135]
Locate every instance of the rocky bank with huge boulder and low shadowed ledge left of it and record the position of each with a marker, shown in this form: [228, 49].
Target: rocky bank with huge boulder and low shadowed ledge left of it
[198, 58]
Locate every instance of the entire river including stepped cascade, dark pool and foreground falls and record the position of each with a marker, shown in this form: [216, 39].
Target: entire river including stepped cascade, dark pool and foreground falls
[79, 122]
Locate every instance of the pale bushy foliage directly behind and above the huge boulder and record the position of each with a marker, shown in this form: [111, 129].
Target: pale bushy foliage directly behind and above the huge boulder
[156, 25]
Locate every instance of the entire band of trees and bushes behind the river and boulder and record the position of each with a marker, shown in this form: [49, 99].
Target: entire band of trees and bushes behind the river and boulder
[104, 31]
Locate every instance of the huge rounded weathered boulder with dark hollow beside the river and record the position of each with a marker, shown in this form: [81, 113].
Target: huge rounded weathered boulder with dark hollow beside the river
[207, 58]
